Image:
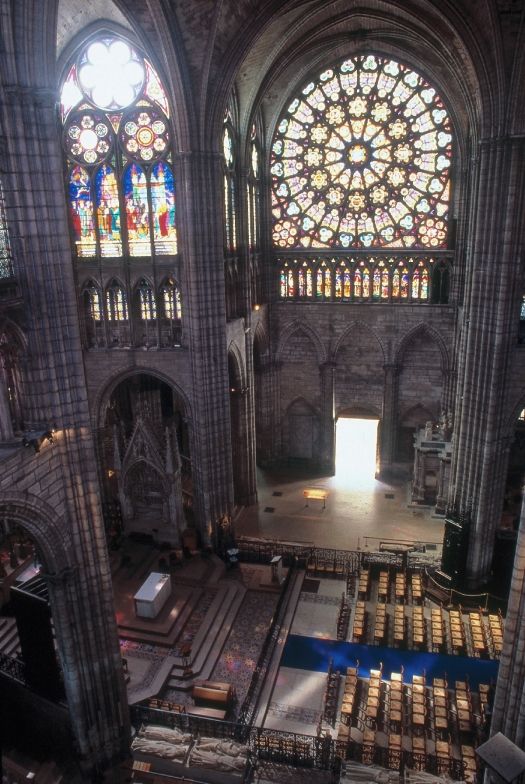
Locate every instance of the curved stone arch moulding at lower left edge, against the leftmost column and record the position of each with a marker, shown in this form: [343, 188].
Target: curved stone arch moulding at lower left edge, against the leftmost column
[51, 536]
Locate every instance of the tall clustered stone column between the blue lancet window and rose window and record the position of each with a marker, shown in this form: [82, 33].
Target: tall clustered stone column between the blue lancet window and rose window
[202, 228]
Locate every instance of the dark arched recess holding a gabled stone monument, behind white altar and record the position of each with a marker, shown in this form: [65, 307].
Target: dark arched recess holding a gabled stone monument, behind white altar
[145, 460]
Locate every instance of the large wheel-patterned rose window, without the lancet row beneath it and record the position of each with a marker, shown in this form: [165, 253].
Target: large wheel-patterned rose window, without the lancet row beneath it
[361, 159]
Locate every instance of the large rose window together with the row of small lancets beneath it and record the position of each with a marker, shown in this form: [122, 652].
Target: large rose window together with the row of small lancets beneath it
[360, 162]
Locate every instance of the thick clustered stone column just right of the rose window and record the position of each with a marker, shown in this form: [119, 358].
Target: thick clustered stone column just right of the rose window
[489, 335]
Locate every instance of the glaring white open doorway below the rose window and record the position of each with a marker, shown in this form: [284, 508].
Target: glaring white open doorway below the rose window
[356, 451]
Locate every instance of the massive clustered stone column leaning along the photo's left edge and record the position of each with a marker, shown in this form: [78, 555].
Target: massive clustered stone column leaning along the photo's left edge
[55, 387]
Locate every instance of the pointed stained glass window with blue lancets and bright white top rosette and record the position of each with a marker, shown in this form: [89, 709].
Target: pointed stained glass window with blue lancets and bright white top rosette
[118, 148]
